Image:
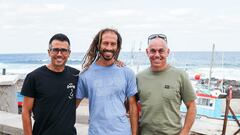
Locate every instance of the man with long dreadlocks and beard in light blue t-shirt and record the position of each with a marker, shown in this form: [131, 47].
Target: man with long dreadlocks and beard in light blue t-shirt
[107, 86]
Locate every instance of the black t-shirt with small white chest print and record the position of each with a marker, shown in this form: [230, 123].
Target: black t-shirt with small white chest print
[54, 108]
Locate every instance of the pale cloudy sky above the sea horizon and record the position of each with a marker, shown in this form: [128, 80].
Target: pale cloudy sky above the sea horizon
[190, 25]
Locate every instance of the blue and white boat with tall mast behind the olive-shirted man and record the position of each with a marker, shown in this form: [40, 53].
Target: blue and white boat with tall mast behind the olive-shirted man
[211, 106]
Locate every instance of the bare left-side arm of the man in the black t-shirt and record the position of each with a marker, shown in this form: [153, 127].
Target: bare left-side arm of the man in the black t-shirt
[26, 115]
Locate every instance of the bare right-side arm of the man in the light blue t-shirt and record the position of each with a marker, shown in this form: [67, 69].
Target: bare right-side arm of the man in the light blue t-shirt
[133, 114]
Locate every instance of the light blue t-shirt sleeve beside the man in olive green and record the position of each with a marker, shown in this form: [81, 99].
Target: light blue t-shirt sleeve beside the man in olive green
[131, 84]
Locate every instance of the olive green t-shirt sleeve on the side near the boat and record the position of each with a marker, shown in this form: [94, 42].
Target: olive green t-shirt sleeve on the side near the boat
[187, 91]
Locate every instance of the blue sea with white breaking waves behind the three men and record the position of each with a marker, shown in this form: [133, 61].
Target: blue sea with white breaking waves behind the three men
[225, 65]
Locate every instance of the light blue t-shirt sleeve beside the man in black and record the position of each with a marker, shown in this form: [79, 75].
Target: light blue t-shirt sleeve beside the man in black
[81, 89]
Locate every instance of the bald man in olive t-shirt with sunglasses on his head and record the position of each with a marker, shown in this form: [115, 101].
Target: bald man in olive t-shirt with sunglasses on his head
[161, 90]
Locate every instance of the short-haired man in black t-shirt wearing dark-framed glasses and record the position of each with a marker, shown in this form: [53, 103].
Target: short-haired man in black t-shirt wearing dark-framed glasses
[49, 93]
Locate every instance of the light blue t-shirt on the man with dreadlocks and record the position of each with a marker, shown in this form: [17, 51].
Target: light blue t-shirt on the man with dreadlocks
[107, 88]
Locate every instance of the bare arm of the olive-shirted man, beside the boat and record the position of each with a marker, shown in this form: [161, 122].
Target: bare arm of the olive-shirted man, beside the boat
[190, 117]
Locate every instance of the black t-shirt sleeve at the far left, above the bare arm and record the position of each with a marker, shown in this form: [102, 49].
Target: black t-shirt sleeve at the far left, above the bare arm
[29, 86]
